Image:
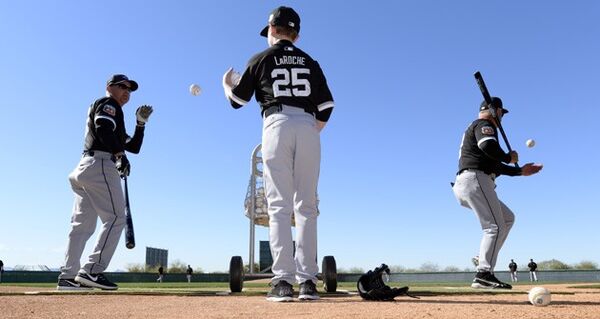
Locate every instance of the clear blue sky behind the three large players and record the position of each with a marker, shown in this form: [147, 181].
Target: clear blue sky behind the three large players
[401, 73]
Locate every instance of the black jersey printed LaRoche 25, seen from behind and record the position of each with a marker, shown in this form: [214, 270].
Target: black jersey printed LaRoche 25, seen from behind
[284, 75]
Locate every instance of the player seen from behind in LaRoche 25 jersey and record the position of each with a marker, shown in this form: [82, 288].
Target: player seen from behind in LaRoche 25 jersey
[295, 104]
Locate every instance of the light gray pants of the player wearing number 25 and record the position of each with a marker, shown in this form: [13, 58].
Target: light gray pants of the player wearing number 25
[291, 152]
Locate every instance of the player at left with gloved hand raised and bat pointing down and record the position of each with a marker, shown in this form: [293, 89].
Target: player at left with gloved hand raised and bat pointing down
[97, 186]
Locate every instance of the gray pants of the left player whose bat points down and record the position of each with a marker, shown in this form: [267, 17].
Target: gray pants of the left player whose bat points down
[98, 193]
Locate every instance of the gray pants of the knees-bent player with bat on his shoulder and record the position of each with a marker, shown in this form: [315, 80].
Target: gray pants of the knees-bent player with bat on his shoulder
[475, 190]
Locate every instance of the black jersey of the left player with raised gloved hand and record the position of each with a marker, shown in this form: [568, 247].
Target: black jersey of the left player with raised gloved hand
[105, 129]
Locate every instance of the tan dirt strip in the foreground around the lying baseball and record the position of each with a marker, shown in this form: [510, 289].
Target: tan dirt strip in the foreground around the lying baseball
[20, 302]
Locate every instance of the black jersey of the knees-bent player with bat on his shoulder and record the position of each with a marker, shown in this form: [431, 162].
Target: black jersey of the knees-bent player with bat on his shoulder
[480, 150]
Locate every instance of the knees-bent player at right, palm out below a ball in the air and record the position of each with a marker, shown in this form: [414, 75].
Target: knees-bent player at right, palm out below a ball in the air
[481, 159]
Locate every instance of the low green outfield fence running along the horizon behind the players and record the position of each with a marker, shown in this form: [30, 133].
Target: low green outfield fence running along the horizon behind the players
[546, 275]
